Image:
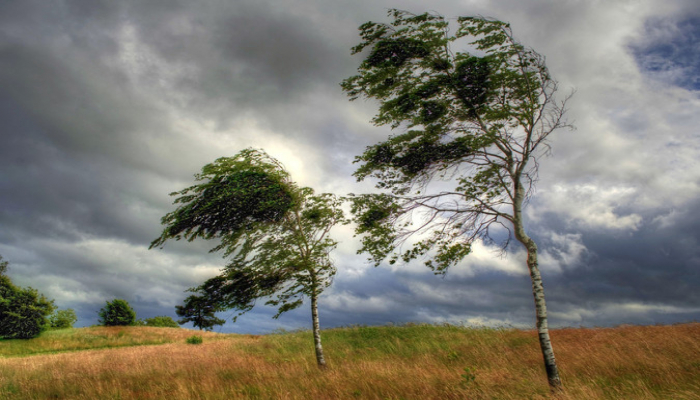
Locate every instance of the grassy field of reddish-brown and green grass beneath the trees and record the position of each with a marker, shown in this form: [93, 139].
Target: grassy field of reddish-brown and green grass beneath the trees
[407, 362]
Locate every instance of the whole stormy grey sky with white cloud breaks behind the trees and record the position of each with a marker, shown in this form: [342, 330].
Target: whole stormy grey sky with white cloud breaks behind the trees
[108, 106]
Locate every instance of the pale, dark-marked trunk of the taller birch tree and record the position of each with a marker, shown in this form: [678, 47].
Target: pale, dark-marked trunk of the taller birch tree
[550, 363]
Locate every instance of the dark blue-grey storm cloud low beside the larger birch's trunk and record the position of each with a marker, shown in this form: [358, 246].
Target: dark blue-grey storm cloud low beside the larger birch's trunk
[627, 276]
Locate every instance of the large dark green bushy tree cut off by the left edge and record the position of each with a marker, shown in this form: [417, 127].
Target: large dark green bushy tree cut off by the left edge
[23, 311]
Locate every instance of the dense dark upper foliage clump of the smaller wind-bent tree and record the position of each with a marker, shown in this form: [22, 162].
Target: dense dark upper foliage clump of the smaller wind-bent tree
[237, 194]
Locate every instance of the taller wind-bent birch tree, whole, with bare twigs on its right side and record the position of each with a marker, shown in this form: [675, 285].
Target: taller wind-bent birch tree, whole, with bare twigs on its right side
[474, 124]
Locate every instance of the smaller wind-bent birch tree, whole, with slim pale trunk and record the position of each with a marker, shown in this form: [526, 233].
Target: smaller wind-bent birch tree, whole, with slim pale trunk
[275, 234]
